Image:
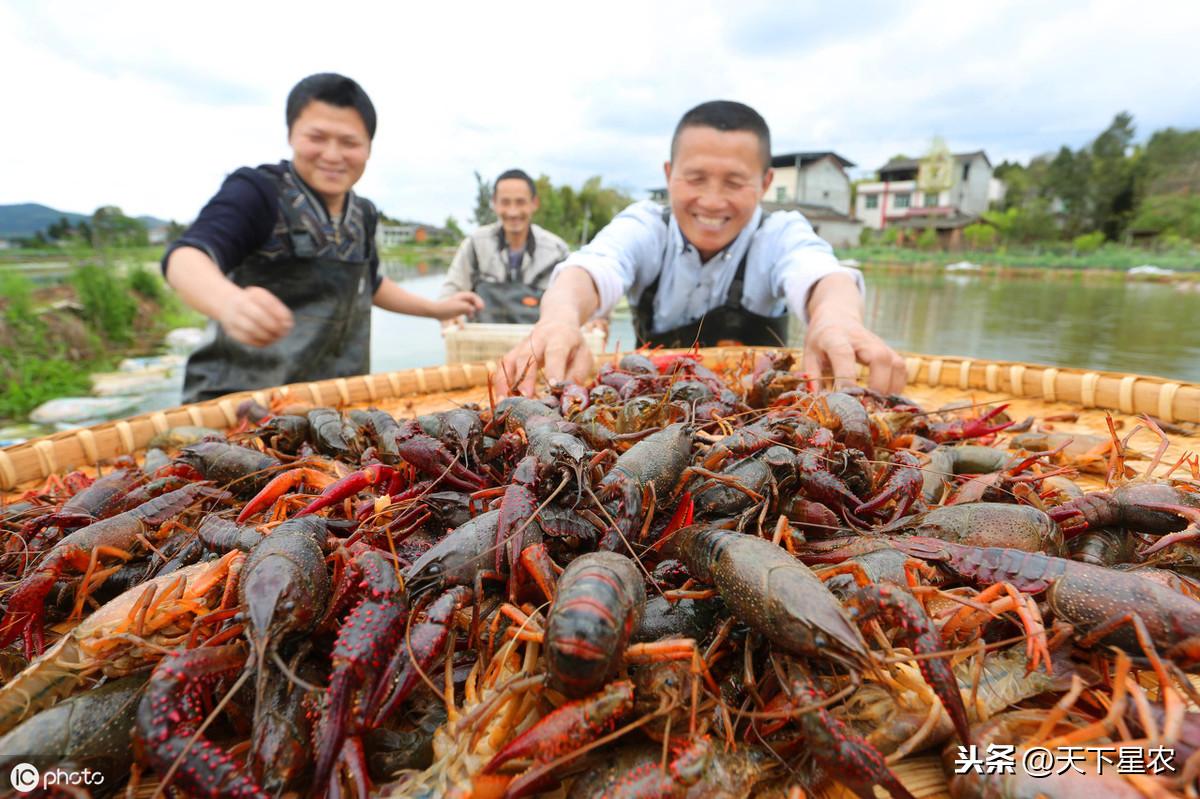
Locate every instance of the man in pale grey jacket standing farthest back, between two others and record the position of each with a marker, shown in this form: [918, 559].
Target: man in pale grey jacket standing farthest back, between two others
[508, 263]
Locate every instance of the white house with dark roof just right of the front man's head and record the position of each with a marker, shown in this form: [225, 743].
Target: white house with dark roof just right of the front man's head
[817, 185]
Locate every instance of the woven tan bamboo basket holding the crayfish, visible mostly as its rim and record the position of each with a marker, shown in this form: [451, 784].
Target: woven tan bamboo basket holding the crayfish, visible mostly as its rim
[934, 381]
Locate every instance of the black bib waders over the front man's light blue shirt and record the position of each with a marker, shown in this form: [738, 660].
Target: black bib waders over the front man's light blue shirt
[729, 323]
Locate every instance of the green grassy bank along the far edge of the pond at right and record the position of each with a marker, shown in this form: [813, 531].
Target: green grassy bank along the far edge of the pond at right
[1052, 256]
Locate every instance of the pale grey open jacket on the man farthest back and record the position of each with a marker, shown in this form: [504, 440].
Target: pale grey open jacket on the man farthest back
[488, 249]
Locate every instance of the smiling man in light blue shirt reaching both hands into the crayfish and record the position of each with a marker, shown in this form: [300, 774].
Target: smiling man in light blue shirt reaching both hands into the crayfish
[711, 268]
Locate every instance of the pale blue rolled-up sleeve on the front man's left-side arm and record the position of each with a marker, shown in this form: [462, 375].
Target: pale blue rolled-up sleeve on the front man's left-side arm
[623, 255]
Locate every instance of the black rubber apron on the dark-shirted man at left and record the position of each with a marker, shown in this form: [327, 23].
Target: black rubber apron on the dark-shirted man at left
[331, 302]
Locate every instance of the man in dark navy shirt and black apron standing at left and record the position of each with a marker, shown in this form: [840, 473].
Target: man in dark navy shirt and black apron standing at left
[283, 260]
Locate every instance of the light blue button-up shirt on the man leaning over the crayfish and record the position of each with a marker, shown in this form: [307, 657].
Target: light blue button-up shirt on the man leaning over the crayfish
[787, 261]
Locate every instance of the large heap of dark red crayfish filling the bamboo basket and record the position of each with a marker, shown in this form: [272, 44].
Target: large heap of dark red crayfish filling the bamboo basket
[671, 582]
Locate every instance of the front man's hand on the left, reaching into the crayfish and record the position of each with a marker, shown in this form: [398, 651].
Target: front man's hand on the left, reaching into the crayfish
[555, 347]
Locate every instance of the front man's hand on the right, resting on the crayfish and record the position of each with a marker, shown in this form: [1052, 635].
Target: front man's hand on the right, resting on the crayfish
[838, 345]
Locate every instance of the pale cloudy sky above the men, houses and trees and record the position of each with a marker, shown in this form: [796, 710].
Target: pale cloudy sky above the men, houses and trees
[149, 105]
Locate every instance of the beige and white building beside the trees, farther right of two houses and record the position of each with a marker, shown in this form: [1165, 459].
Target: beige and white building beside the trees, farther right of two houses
[941, 191]
